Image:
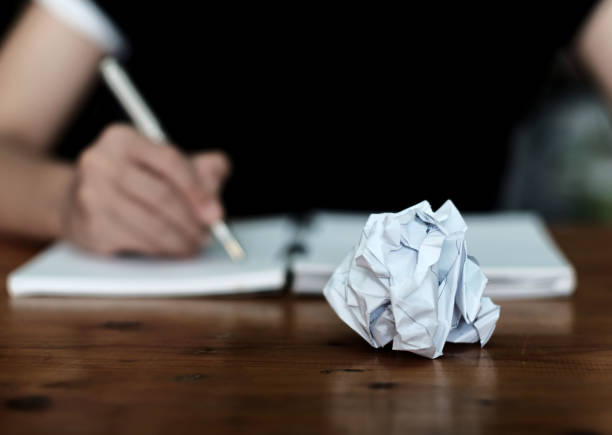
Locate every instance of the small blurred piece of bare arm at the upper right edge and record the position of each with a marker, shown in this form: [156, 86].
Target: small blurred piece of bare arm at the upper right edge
[594, 46]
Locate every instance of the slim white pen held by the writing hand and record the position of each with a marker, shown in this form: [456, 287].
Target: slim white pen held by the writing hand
[145, 121]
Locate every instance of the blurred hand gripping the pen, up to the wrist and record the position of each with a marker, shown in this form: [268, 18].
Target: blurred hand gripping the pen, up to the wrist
[132, 195]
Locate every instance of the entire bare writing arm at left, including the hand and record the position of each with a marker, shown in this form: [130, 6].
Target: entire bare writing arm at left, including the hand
[125, 193]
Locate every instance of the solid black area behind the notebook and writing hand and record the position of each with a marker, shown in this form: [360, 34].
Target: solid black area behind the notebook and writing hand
[364, 108]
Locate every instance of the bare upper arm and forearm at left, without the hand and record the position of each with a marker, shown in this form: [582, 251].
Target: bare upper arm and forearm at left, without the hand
[45, 69]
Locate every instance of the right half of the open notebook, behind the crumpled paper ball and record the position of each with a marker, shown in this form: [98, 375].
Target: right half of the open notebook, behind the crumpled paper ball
[514, 249]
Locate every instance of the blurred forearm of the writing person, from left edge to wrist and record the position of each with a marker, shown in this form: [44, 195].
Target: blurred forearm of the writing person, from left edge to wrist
[33, 191]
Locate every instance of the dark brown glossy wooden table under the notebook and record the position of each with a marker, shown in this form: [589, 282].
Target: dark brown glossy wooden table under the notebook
[280, 364]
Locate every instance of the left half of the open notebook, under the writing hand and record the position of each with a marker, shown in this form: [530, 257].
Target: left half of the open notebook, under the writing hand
[64, 270]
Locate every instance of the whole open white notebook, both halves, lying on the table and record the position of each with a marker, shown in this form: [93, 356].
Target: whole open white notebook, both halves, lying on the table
[514, 249]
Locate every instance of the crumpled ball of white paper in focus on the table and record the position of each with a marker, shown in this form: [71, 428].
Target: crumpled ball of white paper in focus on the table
[410, 280]
